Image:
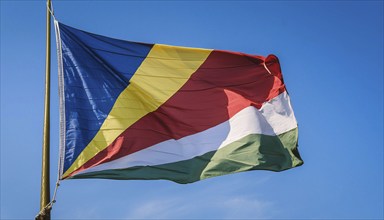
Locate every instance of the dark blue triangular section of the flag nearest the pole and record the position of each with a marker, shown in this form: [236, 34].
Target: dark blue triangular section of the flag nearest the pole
[96, 70]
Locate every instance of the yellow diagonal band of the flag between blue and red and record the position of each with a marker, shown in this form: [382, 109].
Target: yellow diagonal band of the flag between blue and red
[164, 71]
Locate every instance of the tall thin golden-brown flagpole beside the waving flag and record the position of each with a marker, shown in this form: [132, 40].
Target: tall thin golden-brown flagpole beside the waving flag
[45, 190]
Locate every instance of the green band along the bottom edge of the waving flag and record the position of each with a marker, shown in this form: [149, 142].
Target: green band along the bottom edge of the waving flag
[253, 152]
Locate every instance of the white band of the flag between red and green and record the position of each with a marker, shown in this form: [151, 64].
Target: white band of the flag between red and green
[275, 117]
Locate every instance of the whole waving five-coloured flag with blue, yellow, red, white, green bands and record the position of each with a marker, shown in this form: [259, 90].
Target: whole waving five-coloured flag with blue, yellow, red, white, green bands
[134, 110]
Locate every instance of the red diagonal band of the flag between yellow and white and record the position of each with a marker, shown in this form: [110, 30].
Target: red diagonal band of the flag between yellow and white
[226, 83]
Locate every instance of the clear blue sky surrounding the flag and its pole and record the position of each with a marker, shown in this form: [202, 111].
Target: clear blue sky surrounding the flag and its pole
[331, 54]
